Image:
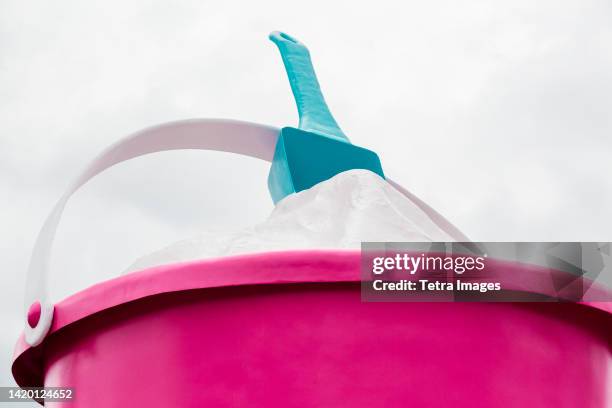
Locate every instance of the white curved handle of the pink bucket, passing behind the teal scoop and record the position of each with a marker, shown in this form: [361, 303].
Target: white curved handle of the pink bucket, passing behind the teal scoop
[249, 139]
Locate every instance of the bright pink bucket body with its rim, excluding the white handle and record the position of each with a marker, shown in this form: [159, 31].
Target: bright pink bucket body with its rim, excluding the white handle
[289, 329]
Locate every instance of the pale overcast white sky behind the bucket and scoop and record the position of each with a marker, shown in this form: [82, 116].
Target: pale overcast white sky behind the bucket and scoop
[495, 113]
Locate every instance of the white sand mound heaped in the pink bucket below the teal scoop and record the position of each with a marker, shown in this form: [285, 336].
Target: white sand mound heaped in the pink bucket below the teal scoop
[339, 213]
